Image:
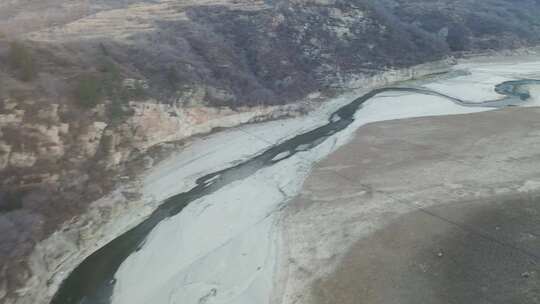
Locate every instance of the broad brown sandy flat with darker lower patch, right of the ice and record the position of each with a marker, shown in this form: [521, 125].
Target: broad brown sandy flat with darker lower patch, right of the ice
[435, 210]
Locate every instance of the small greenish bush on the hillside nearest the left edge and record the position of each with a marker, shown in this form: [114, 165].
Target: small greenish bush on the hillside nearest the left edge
[21, 61]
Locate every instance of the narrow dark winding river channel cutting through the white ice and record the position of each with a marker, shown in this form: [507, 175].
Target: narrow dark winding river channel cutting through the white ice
[92, 282]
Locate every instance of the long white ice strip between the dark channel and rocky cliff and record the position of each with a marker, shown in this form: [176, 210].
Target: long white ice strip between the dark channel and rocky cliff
[221, 150]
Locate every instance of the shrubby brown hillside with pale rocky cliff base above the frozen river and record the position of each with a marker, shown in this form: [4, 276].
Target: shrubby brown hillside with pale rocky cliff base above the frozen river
[92, 86]
